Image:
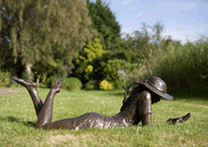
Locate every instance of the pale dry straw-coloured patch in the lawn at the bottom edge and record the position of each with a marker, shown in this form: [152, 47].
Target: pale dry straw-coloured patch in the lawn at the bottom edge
[75, 140]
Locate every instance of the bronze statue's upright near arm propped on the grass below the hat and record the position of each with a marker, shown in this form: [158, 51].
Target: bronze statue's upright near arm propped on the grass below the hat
[145, 111]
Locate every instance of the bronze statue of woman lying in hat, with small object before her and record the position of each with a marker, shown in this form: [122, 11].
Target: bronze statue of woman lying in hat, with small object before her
[136, 108]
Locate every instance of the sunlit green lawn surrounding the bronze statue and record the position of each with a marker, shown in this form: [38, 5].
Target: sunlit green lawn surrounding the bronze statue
[17, 119]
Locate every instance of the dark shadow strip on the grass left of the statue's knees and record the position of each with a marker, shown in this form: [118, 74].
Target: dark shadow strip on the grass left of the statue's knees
[17, 120]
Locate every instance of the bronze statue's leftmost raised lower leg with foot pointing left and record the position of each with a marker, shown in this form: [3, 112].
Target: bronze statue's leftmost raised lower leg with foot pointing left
[32, 89]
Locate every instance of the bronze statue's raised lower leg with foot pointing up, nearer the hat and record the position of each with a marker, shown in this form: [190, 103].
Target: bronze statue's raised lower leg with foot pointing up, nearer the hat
[45, 115]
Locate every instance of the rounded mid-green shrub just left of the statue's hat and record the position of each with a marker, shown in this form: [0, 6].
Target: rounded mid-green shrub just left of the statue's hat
[118, 71]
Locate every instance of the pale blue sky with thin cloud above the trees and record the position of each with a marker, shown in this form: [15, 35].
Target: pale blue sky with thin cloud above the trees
[184, 20]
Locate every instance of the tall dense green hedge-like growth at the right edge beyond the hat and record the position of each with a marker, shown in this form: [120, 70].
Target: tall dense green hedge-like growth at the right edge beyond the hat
[184, 66]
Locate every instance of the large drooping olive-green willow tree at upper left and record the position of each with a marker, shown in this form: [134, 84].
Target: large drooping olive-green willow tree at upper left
[47, 33]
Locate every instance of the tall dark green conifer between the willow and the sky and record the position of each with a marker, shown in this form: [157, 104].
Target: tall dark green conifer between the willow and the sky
[104, 21]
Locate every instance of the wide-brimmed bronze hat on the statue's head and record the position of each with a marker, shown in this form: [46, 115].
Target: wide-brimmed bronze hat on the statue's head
[158, 86]
